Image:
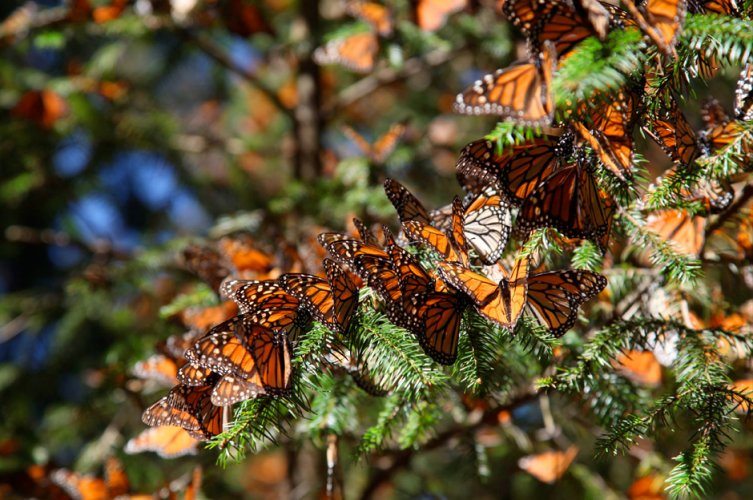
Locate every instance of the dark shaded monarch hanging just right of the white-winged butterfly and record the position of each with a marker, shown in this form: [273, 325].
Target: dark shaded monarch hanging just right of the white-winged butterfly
[570, 201]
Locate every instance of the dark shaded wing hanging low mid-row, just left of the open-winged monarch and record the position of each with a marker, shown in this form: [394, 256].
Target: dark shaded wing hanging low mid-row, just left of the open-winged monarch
[440, 314]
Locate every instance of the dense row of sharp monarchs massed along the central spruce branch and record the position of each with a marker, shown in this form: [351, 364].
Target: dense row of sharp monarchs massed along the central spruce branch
[249, 355]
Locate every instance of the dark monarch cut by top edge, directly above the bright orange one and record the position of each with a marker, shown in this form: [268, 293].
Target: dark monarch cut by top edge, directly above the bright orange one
[561, 22]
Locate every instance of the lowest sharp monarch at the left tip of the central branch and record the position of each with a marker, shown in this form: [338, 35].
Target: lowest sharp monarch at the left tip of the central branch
[187, 407]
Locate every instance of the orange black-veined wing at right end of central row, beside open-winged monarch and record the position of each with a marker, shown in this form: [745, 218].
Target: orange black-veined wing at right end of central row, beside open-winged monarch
[555, 296]
